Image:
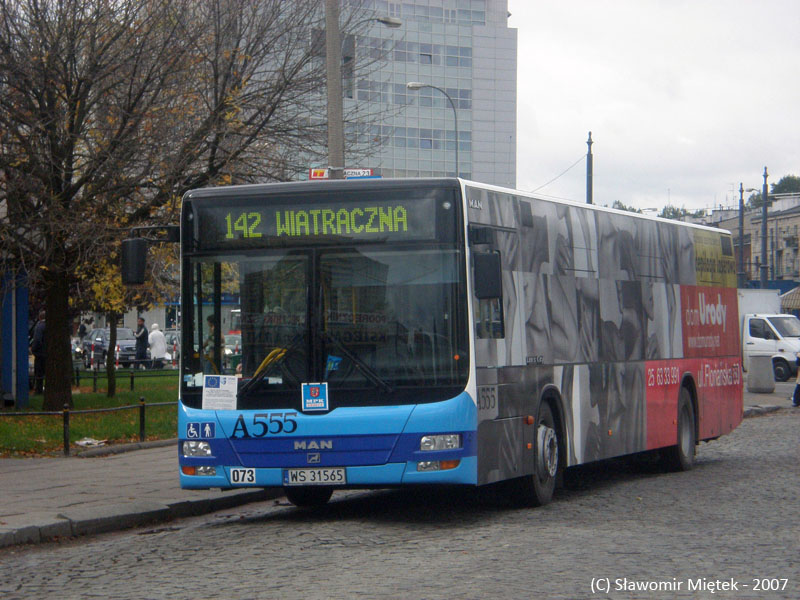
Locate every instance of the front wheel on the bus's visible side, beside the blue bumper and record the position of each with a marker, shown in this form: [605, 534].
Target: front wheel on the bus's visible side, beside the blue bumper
[537, 488]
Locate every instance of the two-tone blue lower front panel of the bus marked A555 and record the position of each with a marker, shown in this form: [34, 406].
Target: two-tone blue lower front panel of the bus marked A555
[377, 445]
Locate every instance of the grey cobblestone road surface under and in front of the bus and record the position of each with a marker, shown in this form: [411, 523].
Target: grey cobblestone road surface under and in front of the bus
[732, 521]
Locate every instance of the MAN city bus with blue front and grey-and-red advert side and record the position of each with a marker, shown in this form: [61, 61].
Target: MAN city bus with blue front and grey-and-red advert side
[421, 332]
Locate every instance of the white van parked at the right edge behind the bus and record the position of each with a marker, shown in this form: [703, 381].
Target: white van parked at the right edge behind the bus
[774, 335]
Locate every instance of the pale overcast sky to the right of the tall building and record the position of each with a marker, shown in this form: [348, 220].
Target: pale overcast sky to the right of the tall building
[684, 99]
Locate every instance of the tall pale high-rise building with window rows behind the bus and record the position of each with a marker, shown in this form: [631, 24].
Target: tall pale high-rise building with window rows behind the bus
[461, 46]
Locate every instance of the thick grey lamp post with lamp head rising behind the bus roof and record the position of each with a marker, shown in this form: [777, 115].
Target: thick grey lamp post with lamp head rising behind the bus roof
[333, 86]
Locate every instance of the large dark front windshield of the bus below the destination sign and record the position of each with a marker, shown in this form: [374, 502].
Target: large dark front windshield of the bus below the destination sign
[378, 321]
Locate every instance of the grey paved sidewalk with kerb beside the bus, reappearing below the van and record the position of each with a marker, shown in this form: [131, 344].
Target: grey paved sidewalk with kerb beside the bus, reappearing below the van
[46, 498]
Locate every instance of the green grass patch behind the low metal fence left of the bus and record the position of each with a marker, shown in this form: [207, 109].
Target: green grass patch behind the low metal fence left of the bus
[44, 435]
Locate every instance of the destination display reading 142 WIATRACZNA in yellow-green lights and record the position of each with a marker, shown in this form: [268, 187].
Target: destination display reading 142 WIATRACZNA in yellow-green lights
[250, 225]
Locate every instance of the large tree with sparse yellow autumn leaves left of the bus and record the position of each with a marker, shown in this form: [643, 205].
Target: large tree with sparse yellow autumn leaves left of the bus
[111, 109]
